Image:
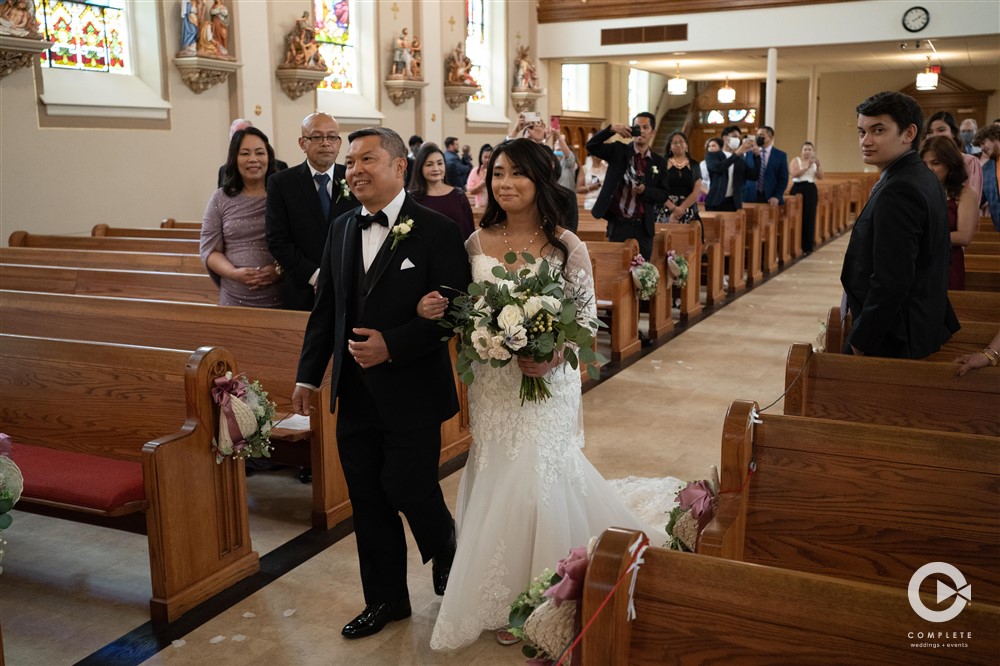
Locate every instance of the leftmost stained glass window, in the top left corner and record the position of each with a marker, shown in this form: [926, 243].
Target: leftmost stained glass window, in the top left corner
[89, 36]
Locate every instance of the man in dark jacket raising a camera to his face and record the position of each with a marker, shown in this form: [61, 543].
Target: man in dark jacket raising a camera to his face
[635, 184]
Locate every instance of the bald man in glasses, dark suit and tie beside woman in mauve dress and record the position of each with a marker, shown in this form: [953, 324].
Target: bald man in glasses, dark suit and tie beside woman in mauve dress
[300, 209]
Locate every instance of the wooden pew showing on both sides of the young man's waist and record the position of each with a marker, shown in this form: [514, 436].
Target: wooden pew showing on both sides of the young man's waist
[973, 336]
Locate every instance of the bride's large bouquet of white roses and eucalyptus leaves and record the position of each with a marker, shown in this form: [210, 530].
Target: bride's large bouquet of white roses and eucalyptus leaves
[528, 313]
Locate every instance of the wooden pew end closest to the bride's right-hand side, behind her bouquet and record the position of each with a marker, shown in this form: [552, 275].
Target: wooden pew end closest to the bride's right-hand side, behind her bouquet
[616, 294]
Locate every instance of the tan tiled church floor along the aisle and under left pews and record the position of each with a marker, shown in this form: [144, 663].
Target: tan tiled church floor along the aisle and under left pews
[69, 590]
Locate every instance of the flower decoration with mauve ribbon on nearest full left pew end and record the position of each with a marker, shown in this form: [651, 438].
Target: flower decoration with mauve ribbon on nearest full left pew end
[245, 417]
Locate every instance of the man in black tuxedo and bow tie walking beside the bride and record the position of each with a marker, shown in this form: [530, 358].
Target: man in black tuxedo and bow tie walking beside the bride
[392, 377]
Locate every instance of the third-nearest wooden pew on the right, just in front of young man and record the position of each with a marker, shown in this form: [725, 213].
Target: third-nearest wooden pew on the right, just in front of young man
[917, 394]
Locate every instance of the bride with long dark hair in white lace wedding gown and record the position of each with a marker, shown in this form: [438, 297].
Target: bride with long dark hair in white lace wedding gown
[528, 494]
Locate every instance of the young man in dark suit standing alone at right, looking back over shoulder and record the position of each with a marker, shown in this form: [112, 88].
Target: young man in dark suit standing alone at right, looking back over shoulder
[895, 272]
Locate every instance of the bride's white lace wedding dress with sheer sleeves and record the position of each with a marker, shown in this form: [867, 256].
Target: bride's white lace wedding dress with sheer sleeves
[528, 494]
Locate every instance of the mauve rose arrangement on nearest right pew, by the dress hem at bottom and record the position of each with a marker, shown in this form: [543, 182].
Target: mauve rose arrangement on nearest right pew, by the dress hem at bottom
[546, 615]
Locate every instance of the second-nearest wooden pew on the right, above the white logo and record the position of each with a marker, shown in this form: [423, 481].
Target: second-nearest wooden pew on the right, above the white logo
[864, 502]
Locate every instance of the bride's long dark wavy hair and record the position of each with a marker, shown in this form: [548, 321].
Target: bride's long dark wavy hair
[536, 163]
